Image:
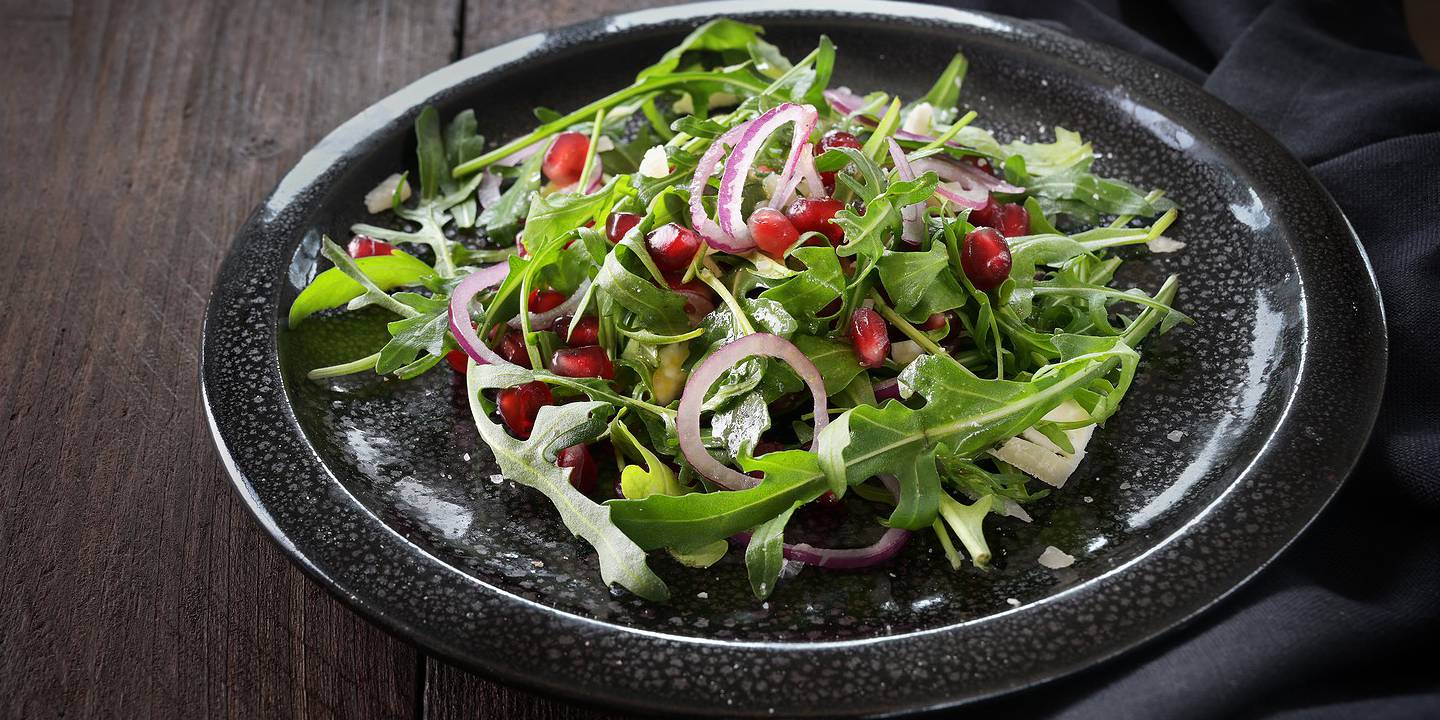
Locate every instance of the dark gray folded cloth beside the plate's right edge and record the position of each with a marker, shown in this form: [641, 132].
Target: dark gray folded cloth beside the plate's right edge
[1347, 623]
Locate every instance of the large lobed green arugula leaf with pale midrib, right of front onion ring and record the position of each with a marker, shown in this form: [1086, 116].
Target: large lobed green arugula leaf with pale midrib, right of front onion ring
[963, 414]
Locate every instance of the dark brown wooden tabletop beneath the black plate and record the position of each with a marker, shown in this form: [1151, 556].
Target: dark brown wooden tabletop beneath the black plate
[135, 139]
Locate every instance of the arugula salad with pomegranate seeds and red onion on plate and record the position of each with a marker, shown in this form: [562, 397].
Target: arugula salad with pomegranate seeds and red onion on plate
[729, 290]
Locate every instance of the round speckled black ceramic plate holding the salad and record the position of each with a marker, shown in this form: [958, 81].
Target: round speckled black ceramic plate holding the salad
[1239, 433]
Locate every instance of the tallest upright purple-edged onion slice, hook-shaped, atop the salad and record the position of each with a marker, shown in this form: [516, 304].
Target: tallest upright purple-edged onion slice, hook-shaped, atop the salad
[738, 168]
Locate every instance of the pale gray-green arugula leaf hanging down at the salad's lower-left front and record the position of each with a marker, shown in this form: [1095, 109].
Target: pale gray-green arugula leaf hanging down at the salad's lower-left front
[532, 463]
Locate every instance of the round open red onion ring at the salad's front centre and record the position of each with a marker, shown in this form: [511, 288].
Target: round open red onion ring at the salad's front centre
[706, 374]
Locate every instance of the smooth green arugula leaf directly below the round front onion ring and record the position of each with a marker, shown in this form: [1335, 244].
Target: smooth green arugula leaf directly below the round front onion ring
[688, 522]
